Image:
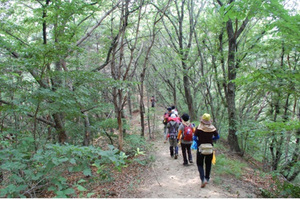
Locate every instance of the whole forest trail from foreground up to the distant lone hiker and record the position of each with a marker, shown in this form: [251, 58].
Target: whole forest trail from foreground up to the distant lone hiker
[166, 177]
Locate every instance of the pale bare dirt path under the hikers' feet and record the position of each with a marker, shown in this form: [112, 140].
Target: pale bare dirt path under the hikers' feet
[168, 178]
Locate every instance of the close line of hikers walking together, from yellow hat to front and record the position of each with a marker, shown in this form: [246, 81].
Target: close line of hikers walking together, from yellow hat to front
[180, 131]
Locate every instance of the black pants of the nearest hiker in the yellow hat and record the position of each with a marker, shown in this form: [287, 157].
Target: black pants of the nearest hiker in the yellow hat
[201, 159]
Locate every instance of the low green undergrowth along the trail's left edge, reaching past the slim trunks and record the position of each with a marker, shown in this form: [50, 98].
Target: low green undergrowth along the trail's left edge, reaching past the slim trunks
[26, 172]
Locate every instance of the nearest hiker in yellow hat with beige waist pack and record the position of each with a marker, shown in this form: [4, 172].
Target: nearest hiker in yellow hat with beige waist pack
[204, 135]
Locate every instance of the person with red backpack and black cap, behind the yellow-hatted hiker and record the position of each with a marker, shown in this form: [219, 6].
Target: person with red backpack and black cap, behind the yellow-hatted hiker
[185, 135]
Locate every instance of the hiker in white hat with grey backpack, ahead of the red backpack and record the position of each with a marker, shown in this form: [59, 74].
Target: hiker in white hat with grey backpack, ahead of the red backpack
[172, 131]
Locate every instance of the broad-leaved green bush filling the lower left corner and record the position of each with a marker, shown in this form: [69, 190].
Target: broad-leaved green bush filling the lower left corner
[27, 172]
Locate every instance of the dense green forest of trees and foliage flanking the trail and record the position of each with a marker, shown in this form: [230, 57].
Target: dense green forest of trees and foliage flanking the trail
[74, 72]
